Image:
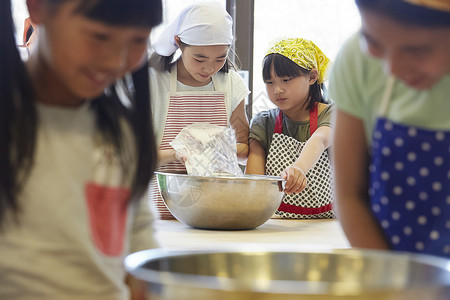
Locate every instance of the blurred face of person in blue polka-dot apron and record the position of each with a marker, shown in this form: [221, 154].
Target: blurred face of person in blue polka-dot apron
[418, 56]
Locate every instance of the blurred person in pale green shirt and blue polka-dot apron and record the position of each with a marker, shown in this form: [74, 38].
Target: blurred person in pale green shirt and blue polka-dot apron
[391, 85]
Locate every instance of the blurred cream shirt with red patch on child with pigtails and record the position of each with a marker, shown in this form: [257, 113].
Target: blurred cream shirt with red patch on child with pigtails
[64, 246]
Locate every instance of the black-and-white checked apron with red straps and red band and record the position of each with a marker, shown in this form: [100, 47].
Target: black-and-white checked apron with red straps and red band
[315, 201]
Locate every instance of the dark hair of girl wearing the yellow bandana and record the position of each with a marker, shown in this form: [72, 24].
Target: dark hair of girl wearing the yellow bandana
[284, 67]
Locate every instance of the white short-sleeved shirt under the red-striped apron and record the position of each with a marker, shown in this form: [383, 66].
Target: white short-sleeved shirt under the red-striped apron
[231, 83]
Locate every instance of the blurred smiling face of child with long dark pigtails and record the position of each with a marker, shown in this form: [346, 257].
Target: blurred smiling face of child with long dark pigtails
[77, 58]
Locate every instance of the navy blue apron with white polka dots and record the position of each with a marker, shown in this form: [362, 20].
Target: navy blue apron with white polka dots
[410, 184]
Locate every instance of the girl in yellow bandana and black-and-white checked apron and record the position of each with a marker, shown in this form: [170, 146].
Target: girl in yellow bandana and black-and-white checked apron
[292, 140]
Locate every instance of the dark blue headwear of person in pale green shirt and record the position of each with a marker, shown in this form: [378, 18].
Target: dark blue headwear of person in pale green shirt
[407, 13]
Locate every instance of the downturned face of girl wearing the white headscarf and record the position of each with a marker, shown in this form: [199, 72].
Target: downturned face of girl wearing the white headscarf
[201, 62]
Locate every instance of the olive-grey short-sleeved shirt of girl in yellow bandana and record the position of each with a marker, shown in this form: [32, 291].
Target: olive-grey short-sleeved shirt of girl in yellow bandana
[262, 126]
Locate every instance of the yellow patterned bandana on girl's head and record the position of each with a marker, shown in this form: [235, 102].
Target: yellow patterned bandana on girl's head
[302, 52]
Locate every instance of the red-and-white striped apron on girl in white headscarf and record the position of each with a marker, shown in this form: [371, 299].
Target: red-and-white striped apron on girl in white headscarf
[184, 109]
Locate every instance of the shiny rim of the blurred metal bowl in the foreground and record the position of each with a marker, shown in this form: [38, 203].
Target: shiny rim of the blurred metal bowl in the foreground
[135, 261]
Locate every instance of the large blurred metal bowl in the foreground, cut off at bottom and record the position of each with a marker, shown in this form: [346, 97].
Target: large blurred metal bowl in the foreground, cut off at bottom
[269, 275]
